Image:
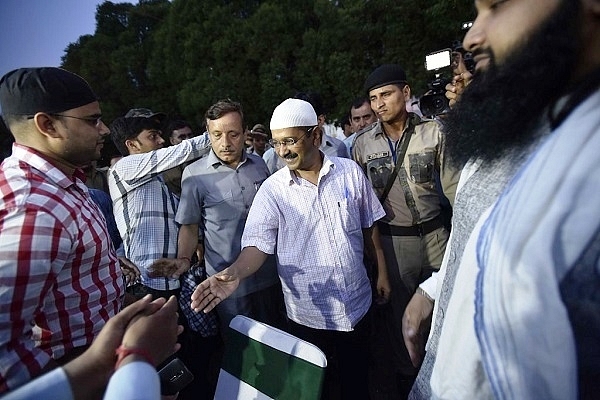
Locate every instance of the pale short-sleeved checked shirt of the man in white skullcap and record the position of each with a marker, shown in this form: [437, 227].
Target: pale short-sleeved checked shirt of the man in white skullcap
[317, 231]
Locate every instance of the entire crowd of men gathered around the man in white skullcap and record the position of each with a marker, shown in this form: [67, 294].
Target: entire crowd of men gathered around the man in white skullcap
[107, 275]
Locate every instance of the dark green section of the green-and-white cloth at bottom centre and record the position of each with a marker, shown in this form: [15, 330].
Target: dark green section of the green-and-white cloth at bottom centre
[273, 372]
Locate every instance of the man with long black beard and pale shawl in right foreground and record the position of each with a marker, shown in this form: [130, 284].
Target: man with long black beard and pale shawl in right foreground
[517, 307]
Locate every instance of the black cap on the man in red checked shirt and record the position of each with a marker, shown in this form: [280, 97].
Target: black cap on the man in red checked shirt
[26, 91]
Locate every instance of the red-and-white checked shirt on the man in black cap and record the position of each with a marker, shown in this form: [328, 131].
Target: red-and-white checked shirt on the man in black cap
[59, 275]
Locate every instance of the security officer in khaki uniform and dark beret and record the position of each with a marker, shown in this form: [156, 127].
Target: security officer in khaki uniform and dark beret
[402, 156]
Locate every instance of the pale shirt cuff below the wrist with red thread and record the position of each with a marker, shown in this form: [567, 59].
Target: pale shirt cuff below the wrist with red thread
[137, 380]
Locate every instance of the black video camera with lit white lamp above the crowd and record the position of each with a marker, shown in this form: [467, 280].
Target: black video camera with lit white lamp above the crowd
[442, 62]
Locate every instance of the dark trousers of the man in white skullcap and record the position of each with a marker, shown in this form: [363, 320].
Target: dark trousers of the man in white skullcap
[347, 372]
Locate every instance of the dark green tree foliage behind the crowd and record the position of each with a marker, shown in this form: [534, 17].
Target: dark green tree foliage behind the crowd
[181, 56]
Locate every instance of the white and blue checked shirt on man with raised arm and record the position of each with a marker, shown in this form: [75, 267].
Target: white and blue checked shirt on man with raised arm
[144, 207]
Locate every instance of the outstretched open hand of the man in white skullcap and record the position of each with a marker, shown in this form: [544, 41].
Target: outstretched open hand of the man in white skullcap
[213, 290]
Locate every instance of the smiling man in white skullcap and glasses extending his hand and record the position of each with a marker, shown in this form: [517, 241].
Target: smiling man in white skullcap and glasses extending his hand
[297, 211]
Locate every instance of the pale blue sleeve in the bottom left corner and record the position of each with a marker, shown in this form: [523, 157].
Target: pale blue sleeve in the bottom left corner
[51, 386]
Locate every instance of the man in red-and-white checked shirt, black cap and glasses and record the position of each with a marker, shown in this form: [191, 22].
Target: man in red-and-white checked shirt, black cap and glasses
[59, 276]
